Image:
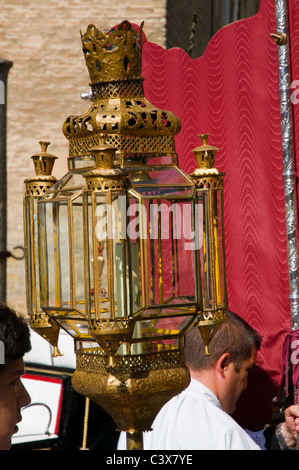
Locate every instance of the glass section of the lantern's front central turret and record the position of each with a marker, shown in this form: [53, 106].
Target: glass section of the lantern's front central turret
[110, 256]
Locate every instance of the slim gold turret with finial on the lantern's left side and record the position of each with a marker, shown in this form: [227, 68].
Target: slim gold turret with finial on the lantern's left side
[36, 186]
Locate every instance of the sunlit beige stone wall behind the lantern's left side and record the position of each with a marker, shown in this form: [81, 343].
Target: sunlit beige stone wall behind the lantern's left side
[42, 39]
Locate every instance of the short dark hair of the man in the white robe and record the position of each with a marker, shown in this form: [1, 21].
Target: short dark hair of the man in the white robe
[234, 336]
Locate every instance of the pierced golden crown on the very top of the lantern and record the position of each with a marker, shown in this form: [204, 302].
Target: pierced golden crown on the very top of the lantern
[113, 54]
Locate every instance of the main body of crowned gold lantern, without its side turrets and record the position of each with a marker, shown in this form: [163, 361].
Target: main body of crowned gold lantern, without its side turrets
[119, 242]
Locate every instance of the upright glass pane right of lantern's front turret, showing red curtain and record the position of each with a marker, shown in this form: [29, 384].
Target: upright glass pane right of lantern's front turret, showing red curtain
[168, 249]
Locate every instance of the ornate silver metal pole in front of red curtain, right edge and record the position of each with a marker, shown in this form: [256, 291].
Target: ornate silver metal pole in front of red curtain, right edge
[289, 167]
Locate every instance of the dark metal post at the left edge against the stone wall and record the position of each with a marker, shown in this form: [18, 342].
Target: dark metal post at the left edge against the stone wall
[5, 66]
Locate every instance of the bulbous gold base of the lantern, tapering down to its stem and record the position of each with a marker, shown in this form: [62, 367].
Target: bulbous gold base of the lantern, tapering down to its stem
[133, 395]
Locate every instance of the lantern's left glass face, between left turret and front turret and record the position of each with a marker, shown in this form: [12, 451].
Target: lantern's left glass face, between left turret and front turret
[61, 253]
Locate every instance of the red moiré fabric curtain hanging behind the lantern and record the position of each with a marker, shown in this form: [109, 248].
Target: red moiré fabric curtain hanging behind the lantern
[232, 92]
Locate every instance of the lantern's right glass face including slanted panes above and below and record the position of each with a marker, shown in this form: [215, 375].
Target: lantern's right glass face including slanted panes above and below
[161, 222]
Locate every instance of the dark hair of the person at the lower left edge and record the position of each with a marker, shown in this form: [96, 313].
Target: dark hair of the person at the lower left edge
[14, 334]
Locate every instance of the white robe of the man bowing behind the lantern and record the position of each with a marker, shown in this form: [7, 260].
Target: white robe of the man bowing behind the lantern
[194, 420]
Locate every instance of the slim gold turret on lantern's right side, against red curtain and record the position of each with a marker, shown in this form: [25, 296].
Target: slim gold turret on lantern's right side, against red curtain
[209, 184]
